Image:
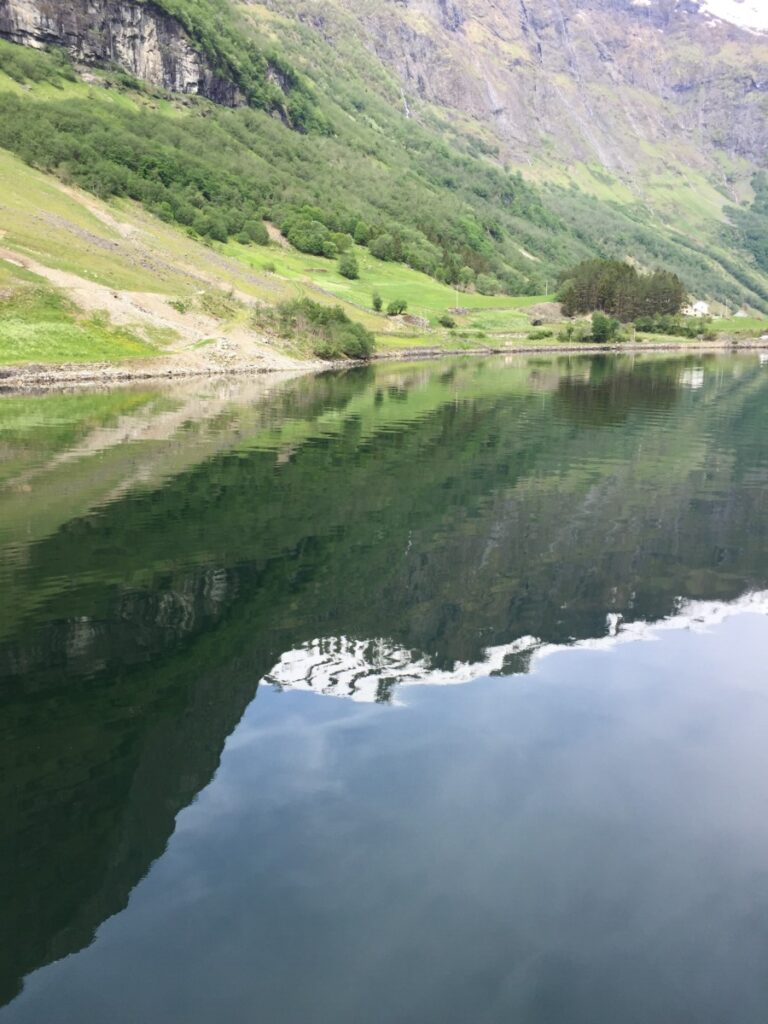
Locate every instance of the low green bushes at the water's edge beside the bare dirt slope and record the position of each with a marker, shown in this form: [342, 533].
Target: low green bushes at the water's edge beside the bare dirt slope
[332, 333]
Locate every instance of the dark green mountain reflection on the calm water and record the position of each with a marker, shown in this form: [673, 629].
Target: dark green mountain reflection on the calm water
[449, 511]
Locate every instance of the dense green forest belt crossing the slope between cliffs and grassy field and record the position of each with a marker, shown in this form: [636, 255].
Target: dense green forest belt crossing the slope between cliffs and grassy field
[393, 184]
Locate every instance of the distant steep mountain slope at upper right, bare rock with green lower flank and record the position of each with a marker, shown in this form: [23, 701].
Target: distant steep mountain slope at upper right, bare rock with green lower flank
[654, 108]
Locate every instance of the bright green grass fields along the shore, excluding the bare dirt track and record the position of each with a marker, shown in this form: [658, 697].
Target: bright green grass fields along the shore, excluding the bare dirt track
[123, 247]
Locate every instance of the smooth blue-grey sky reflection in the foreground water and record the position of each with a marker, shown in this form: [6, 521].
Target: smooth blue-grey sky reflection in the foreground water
[588, 843]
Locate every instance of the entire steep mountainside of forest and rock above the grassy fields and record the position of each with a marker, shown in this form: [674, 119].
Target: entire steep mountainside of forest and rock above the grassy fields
[464, 139]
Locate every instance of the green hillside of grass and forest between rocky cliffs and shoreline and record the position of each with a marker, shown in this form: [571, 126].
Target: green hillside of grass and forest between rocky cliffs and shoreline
[135, 223]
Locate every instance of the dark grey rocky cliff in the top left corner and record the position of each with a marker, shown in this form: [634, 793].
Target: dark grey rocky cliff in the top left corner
[138, 37]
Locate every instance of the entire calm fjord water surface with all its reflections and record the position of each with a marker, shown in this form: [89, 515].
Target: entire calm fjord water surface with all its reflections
[241, 781]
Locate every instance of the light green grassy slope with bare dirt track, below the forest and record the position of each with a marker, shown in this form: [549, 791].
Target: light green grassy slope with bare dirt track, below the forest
[88, 281]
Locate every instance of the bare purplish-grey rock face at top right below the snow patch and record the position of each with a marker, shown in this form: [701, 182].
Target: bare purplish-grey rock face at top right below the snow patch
[592, 79]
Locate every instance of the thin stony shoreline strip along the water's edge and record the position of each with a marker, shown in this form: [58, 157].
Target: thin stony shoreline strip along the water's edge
[37, 377]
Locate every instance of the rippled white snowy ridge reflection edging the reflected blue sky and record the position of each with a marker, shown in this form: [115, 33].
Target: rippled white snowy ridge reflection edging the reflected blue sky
[373, 670]
